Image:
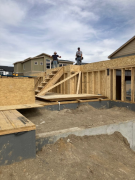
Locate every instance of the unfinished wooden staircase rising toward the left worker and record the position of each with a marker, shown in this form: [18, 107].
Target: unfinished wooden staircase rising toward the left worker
[49, 81]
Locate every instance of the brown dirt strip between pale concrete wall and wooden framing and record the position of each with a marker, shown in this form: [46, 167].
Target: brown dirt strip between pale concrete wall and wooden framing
[84, 116]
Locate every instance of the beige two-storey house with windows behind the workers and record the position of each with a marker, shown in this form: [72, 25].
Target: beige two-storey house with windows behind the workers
[37, 64]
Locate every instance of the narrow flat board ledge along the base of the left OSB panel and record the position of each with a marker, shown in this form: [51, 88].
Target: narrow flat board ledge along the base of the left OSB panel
[21, 106]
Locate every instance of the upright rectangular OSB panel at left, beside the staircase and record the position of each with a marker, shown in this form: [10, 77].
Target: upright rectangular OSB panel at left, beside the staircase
[14, 91]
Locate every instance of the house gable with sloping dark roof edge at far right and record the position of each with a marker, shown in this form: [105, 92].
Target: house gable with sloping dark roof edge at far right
[127, 49]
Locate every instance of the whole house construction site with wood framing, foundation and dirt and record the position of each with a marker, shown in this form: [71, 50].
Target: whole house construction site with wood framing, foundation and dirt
[69, 122]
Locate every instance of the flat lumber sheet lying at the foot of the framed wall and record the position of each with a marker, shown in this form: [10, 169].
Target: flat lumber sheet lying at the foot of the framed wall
[70, 97]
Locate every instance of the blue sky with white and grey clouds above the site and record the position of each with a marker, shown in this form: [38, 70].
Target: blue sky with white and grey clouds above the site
[32, 27]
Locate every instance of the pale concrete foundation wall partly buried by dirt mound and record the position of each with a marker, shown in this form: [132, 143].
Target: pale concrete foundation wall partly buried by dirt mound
[127, 129]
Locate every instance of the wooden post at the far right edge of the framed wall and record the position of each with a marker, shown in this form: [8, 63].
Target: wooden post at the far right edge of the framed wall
[132, 84]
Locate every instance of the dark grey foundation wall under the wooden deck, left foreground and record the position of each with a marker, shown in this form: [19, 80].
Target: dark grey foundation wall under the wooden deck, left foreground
[16, 147]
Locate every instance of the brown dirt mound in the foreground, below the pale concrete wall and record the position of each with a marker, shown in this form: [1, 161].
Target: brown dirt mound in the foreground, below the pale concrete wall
[103, 157]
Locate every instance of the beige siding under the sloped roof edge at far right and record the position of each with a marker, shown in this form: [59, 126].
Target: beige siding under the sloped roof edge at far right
[127, 50]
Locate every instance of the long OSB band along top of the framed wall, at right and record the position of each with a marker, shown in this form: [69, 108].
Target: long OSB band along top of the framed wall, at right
[114, 63]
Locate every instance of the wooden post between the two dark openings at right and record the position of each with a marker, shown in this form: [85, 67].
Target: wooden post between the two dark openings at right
[122, 84]
